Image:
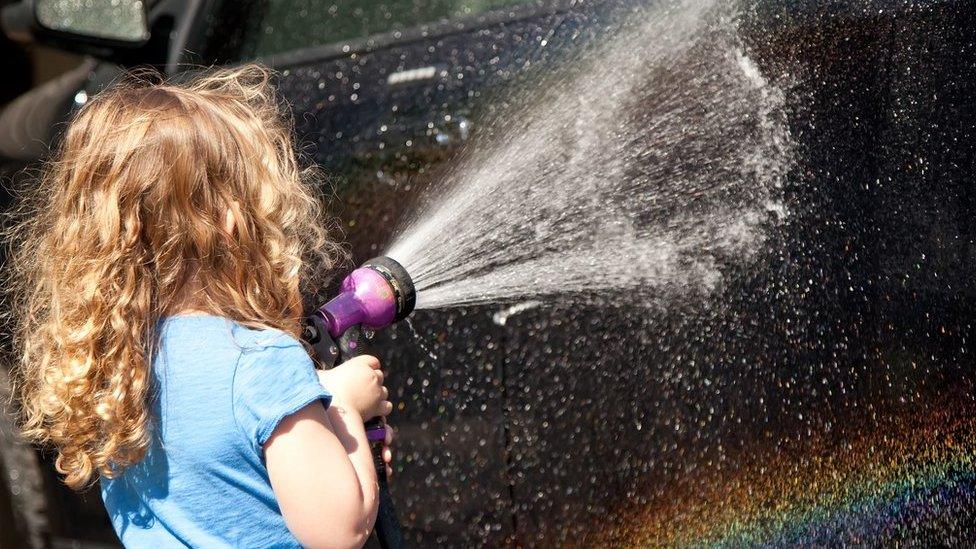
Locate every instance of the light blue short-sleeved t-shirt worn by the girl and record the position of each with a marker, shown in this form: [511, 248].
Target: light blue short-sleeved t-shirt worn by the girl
[221, 389]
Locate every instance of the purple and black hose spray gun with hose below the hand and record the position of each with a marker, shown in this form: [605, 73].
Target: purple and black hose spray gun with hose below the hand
[372, 297]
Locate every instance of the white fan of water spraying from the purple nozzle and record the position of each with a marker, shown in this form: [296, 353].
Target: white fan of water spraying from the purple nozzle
[650, 165]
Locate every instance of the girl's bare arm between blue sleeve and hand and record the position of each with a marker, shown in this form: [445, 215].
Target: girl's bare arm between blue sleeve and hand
[322, 474]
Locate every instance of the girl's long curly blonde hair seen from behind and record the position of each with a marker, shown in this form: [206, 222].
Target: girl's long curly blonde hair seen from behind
[128, 226]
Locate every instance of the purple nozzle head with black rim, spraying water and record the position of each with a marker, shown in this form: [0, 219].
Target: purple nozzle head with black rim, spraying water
[374, 296]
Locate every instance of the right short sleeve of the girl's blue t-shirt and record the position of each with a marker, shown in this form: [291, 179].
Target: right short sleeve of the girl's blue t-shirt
[273, 380]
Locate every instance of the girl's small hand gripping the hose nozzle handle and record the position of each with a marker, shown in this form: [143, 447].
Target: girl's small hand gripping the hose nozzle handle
[357, 384]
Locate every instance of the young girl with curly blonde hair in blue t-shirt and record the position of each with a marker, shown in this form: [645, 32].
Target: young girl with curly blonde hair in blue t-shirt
[160, 301]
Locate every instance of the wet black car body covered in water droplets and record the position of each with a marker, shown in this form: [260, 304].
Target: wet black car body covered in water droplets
[797, 412]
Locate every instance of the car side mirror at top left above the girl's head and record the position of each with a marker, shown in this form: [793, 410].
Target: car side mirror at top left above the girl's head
[98, 27]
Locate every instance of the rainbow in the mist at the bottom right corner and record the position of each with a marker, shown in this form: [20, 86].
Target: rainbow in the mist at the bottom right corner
[911, 476]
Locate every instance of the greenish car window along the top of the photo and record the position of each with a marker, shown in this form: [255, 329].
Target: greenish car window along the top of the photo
[279, 26]
